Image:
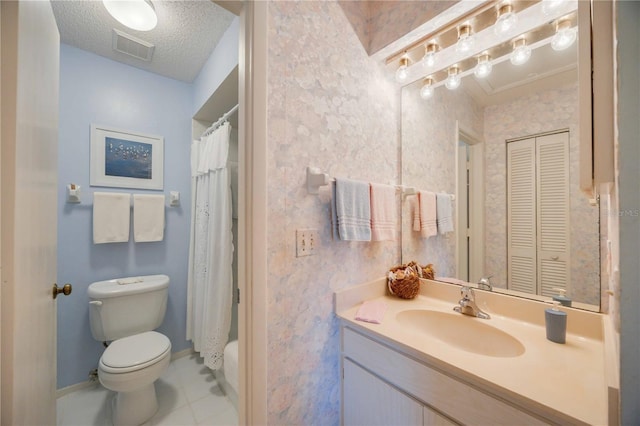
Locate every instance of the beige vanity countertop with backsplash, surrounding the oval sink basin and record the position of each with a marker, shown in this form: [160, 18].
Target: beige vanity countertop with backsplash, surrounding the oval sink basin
[556, 379]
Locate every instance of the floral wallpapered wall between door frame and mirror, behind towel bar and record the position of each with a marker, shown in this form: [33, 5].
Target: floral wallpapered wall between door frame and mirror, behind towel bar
[330, 106]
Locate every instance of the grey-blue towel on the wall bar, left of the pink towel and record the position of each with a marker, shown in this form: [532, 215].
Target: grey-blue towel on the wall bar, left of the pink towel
[353, 210]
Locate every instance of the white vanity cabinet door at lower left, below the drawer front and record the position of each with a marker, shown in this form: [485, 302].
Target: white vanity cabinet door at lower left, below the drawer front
[368, 401]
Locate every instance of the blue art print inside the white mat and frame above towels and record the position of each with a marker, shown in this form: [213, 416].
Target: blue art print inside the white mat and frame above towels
[127, 158]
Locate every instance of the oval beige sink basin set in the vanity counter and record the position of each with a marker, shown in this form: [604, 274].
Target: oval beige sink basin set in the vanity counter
[463, 332]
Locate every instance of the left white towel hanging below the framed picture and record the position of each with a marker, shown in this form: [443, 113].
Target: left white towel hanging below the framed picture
[111, 217]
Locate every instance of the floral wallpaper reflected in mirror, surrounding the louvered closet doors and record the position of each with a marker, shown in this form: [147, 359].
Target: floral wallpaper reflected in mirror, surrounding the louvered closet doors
[538, 113]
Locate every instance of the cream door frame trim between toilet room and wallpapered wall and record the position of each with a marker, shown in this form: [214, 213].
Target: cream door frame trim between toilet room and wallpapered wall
[252, 205]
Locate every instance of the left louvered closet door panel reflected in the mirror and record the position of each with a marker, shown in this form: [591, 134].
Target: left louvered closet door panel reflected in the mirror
[521, 216]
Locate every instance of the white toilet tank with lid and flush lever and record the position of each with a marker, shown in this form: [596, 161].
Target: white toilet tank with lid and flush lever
[126, 306]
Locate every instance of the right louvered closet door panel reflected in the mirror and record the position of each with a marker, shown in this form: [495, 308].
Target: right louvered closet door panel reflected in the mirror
[552, 154]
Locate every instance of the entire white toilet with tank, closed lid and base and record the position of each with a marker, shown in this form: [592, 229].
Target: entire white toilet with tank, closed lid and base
[124, 312]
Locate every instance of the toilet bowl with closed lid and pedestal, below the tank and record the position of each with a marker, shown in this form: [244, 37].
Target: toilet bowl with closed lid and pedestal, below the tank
[130, 366]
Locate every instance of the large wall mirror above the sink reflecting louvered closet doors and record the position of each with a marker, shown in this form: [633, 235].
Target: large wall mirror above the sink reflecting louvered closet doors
[506, 147]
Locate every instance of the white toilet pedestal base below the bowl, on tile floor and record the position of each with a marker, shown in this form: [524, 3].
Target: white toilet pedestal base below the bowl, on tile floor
[135, 407]
